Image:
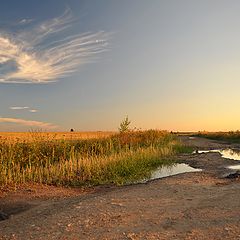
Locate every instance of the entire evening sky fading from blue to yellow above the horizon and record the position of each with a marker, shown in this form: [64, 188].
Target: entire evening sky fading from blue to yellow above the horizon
[87, 64]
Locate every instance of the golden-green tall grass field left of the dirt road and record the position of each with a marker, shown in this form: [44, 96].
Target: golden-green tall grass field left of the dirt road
[84, 158]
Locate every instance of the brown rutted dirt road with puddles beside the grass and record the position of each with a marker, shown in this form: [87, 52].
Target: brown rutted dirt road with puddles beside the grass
[201, 205]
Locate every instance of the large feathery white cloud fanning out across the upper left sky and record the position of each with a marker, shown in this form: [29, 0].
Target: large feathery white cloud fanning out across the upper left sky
[35, 56]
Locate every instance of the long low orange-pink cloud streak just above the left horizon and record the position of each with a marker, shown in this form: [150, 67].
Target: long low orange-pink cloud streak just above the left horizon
[29, 123]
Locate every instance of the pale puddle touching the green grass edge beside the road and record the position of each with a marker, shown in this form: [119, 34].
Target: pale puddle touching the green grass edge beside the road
[166, 171]
